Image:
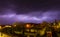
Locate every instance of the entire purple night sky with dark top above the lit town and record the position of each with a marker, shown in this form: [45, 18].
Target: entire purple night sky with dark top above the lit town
[29, 11]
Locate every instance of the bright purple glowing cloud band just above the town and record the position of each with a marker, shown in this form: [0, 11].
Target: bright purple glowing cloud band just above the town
[13, 17]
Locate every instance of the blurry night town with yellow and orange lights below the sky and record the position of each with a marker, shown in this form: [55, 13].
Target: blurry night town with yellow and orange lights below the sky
[20, 29]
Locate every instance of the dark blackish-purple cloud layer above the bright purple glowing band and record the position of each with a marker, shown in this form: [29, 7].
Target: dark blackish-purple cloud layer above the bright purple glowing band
[21, 6]
